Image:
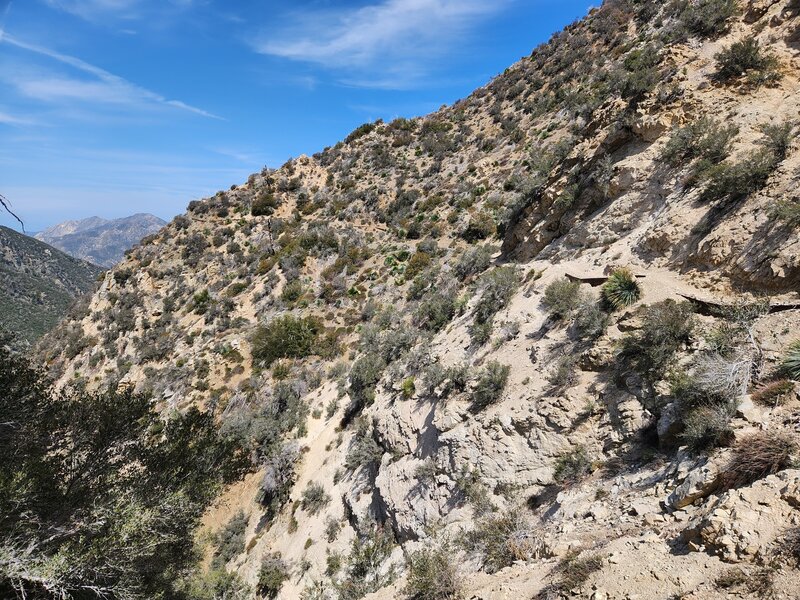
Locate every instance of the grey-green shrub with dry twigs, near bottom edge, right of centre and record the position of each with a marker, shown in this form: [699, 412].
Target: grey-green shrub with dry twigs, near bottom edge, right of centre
[502, 539]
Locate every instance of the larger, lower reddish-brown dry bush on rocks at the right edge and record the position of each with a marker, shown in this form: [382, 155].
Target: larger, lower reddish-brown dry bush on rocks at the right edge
[758, 455]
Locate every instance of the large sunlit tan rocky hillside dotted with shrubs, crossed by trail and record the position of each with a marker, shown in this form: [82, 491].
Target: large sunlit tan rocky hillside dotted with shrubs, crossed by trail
[542, 342]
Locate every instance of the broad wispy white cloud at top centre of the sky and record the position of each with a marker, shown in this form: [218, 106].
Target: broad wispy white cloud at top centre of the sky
[387, 44]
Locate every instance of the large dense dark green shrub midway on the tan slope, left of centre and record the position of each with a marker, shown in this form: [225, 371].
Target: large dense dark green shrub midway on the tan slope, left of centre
[286, 337]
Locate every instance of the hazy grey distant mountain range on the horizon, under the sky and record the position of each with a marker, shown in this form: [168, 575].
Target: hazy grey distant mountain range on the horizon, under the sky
[100, 241]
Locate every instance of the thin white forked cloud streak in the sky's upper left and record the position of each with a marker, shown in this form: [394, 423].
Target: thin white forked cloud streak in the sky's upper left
[105, 87]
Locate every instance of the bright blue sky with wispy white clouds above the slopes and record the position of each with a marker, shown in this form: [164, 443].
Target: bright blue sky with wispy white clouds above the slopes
[111, 107]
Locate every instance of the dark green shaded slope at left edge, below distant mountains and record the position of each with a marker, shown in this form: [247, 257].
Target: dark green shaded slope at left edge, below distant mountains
[38, 284]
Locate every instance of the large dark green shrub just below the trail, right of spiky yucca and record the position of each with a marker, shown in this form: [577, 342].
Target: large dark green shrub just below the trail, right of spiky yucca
[665, 326]
